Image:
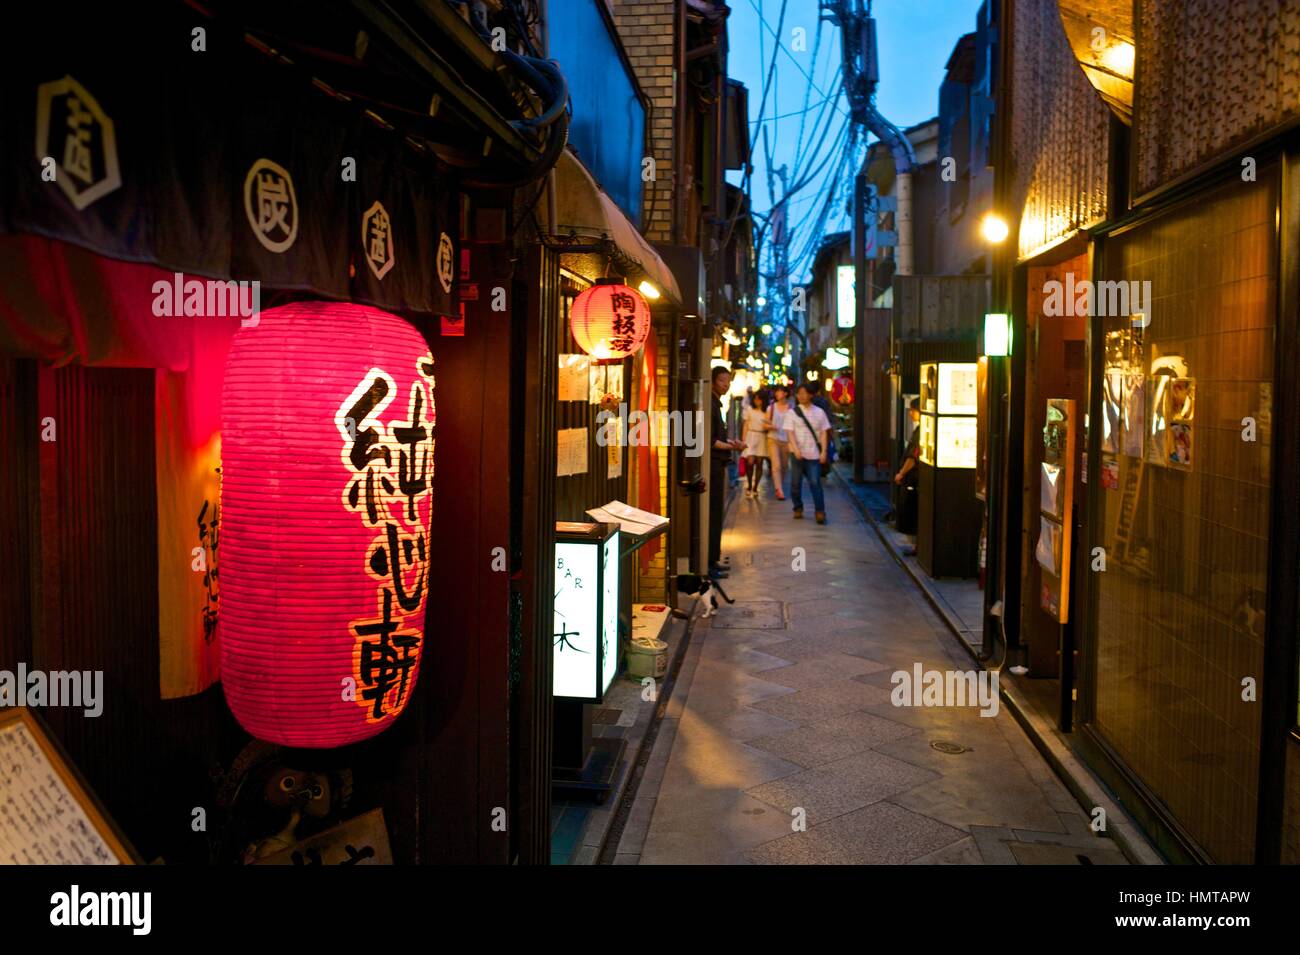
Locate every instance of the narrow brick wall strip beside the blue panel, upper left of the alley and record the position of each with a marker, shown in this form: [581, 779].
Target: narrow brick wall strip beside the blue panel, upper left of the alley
[648, 29]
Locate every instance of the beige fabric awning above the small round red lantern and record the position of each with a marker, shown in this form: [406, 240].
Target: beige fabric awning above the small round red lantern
[586, 210]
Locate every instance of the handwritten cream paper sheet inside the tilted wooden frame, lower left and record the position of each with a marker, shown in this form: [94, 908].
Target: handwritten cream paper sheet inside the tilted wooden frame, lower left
[41, 821]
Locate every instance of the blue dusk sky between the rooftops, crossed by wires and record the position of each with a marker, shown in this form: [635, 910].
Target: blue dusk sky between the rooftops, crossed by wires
[916, 40]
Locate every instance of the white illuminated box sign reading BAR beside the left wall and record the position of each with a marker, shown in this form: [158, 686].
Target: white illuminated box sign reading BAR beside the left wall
[587, 610]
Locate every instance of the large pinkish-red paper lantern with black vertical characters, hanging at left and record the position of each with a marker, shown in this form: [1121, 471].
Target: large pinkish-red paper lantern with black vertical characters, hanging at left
[327, 489]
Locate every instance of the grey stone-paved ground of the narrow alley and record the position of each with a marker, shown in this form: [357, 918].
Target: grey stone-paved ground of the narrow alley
[783, 702]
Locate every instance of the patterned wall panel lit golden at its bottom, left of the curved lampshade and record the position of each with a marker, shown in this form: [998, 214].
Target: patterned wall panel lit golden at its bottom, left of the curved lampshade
[1060, 132]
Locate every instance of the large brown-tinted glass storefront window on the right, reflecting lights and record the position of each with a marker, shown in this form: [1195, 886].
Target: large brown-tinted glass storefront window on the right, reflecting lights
[1185, 509]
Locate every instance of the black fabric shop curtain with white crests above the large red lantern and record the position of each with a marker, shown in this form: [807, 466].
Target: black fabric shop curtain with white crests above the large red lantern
[302, 194]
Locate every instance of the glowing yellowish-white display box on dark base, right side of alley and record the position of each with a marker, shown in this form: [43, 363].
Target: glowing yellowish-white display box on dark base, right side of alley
[950, 511]
